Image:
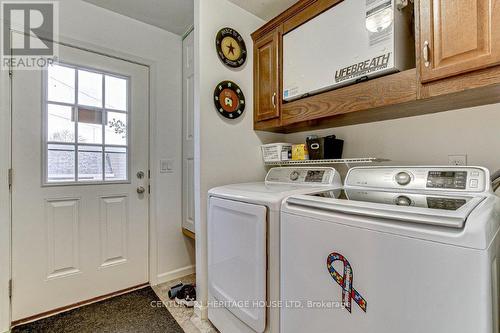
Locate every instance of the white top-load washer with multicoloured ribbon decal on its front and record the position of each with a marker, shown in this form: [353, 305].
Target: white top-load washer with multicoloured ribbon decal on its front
[411, 249]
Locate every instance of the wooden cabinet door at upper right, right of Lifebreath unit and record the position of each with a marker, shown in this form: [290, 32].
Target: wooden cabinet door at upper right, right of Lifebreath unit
[458, 36]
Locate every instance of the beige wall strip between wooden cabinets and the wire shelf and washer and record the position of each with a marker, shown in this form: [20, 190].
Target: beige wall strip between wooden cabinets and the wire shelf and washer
[427, 139]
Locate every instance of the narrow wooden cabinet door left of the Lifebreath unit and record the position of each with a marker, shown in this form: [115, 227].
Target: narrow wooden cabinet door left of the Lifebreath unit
[266, 78]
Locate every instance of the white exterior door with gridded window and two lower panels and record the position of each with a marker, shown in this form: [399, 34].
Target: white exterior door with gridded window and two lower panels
[80, 225]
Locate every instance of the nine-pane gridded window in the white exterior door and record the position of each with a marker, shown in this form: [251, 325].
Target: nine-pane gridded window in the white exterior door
[86, 125]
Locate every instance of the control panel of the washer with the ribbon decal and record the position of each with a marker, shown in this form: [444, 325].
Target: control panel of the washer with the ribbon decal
[466, 179]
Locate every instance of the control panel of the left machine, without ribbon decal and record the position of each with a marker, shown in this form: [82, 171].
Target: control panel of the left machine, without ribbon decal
[313, 176]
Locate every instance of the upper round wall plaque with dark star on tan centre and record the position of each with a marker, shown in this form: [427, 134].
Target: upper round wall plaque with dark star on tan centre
[231, 47]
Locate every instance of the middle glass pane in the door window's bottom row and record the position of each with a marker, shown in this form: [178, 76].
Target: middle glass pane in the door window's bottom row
[89, 163]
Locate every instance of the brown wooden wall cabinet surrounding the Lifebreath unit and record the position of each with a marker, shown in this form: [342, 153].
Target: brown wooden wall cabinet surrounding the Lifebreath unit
[457, 66]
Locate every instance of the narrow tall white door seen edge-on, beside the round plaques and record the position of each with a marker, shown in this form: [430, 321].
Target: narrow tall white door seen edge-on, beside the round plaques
[188, 133]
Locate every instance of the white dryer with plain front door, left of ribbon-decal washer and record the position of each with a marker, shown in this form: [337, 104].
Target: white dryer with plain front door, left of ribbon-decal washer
[243, 246]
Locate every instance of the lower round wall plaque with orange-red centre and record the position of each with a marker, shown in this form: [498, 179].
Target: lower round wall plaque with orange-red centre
[229, 99]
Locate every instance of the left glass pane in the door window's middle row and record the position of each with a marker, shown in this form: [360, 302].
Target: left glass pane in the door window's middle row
[60, 123]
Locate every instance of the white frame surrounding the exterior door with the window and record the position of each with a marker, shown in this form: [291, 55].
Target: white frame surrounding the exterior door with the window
[5, 164]
